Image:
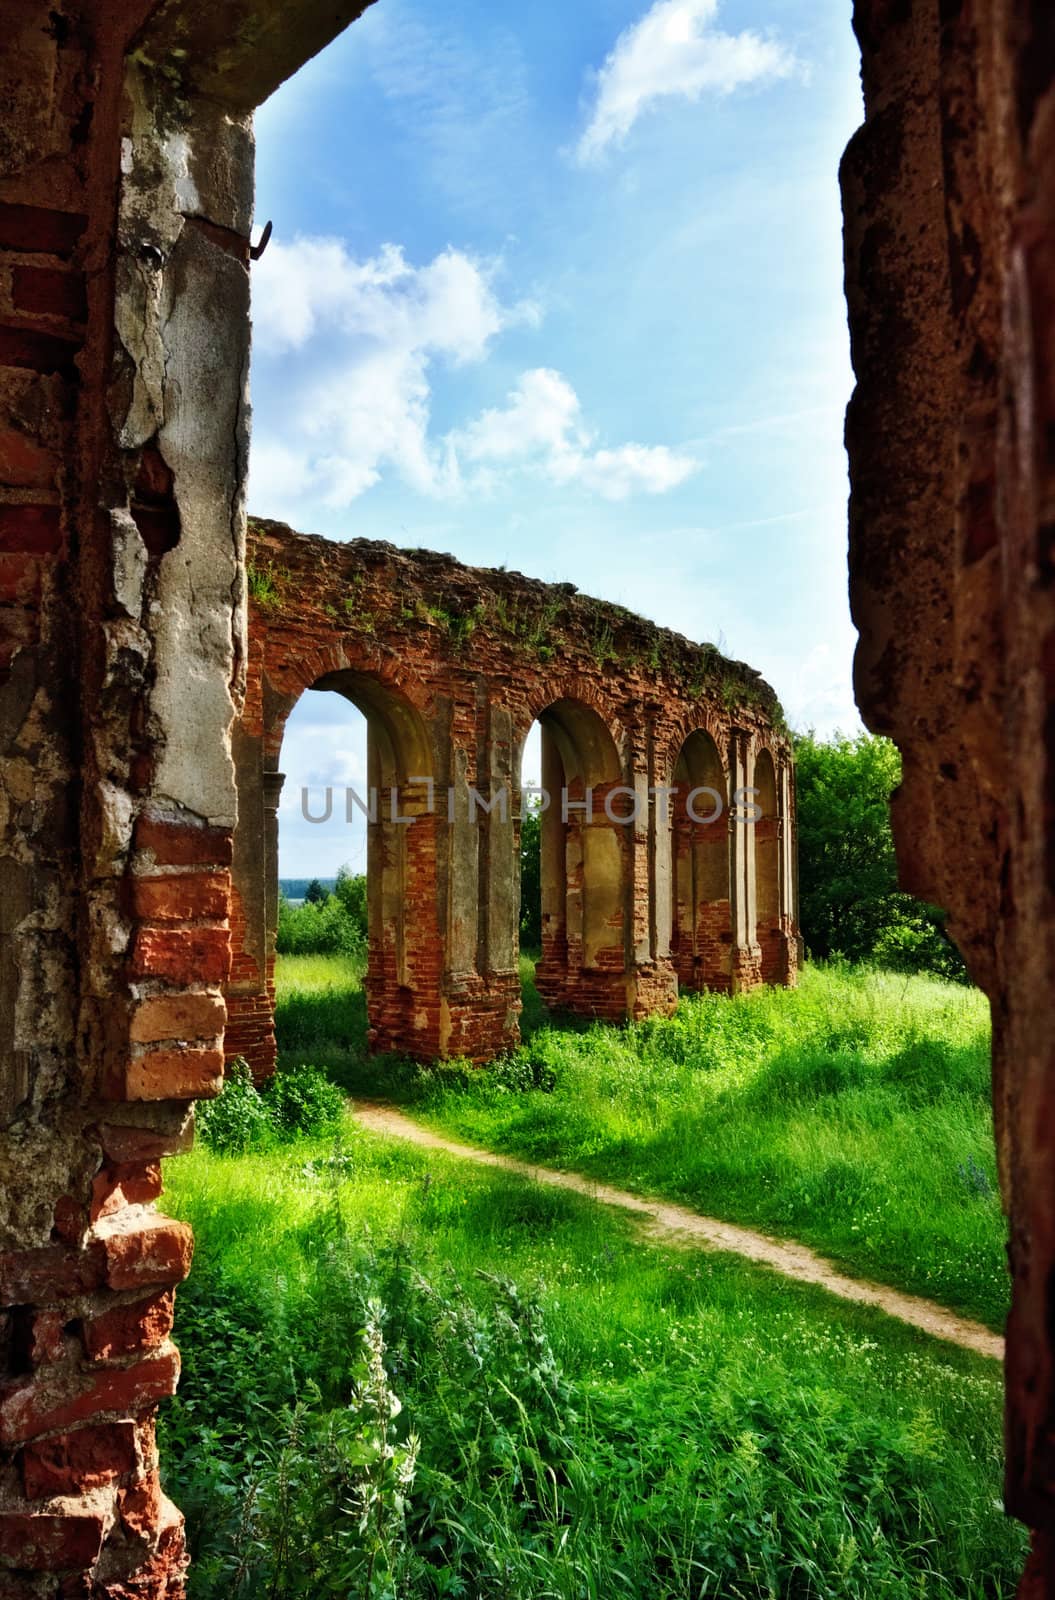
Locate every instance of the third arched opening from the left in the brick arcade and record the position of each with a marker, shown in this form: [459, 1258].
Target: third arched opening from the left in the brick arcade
[700, 868]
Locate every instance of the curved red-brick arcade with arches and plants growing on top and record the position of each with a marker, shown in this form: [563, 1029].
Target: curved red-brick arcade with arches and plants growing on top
[643, 892]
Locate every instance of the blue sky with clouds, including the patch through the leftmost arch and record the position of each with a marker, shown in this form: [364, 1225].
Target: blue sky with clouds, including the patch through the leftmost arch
[560, 287]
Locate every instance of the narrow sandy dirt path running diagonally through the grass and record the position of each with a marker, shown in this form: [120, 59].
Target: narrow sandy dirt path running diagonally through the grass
[676, 1223]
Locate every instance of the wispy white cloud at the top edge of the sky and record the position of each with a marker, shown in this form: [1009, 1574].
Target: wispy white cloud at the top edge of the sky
[676, 50]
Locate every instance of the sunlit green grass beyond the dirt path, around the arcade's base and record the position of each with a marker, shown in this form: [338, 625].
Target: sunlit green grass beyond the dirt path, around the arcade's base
[852, 1114]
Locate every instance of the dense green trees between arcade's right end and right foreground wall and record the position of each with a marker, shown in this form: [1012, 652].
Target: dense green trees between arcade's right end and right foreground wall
[849, 897]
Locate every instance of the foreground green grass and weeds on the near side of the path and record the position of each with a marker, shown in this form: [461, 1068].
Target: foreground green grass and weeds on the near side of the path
[627, 1422]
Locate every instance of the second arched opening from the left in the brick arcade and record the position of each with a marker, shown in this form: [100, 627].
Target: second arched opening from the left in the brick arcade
[584, 852]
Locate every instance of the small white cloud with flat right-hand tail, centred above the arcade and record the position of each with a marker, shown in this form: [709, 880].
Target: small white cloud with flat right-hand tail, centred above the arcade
[542, 426]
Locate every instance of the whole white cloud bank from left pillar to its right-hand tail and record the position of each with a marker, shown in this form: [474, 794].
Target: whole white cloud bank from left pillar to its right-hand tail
[355, 345]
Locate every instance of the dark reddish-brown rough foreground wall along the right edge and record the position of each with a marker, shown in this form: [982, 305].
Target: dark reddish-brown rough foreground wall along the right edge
[950, 215]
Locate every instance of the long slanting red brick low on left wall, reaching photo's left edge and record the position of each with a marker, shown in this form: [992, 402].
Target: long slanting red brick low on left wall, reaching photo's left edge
[58, 1399]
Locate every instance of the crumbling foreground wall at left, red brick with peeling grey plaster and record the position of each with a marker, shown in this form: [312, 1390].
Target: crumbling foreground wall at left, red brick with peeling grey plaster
[124, 345]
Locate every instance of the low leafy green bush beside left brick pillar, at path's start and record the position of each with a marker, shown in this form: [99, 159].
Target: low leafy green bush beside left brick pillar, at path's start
[292, 1105]
